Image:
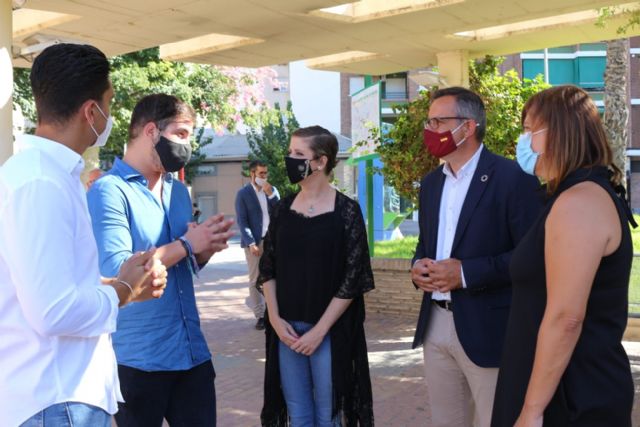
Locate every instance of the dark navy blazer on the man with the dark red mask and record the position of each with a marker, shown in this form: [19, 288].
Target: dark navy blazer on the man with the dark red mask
[501, 204]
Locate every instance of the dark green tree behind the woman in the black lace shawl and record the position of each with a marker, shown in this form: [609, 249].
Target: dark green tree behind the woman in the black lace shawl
[269, 141]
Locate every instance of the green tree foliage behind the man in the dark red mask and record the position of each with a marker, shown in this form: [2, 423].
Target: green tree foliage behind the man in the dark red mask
[402, 151]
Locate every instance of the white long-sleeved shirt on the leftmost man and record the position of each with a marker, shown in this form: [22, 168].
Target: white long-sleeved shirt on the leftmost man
[55, 316]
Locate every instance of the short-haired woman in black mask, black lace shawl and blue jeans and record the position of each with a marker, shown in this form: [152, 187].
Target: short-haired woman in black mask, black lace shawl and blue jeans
[314, 272]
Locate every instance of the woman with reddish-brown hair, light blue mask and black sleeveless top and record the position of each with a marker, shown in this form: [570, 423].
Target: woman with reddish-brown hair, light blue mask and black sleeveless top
[563, 362]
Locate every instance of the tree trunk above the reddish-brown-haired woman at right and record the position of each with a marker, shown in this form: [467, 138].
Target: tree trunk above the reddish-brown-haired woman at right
[616, 104]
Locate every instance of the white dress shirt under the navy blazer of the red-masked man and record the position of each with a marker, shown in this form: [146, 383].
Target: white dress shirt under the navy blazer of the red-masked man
[454, 193]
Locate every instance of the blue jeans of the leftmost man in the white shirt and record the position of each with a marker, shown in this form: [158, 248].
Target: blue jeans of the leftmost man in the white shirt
[69, 414]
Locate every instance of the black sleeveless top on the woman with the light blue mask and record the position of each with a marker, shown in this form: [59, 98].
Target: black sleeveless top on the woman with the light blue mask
[596, 388]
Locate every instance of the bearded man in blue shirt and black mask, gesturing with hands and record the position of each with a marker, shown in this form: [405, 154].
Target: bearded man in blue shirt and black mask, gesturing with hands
[164, 364]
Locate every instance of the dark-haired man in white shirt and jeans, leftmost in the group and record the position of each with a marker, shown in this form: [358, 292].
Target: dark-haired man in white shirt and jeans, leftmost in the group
[56, 313]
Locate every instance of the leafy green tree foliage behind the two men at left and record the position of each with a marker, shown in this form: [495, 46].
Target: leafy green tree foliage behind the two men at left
[219, 95]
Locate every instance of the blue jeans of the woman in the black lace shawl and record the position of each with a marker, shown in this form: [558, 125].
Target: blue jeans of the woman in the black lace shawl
[306, 382]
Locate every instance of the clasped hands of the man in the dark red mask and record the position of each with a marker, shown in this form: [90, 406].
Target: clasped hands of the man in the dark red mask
[441, 276]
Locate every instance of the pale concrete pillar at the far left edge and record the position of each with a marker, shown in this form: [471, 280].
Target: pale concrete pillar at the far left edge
[6, 81]
